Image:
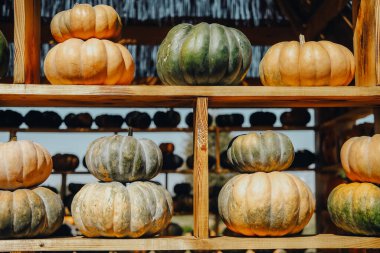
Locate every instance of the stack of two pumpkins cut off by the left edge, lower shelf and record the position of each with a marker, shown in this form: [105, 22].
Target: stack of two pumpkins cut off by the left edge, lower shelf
[26, 210]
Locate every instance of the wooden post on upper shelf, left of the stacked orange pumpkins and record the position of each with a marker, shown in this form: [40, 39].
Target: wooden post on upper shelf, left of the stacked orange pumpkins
[27, 19]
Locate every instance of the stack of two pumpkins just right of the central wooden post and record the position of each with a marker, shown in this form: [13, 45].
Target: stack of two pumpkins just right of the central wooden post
[266, 202]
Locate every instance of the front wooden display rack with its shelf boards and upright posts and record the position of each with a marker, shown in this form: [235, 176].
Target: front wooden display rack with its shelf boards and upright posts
[26, 72]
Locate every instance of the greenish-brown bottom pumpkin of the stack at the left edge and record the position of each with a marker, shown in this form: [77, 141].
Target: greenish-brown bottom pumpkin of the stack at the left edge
[28, 213]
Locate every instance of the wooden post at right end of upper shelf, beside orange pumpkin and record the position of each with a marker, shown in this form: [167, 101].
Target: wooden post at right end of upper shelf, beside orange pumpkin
[367, 42]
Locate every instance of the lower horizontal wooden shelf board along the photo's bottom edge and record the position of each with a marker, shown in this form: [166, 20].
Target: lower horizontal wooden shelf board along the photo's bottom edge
[189, 243]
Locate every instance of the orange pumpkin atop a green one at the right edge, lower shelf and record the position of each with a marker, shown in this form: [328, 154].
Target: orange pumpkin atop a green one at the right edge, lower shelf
[360, 158]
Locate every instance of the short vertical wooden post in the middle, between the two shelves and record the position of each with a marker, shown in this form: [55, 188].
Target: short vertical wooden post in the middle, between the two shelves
[200, 188]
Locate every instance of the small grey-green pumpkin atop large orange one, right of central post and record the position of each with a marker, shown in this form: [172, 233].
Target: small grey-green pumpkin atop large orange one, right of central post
[266, 152]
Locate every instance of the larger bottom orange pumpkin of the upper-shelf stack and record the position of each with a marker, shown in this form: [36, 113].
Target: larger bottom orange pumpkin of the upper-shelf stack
[89, 62]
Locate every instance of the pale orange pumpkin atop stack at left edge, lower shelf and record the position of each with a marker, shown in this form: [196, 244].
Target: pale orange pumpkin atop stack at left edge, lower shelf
[23, 164]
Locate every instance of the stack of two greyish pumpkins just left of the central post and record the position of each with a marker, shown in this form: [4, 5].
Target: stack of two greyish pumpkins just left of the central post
[113, 209]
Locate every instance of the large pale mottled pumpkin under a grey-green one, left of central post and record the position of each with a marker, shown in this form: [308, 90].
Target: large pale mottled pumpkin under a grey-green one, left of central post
[115, 210]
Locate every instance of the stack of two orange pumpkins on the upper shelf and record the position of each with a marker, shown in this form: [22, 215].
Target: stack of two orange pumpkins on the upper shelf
[85, 54]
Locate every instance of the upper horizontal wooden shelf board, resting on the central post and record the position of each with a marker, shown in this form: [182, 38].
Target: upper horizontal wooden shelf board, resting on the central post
[184, 96]
